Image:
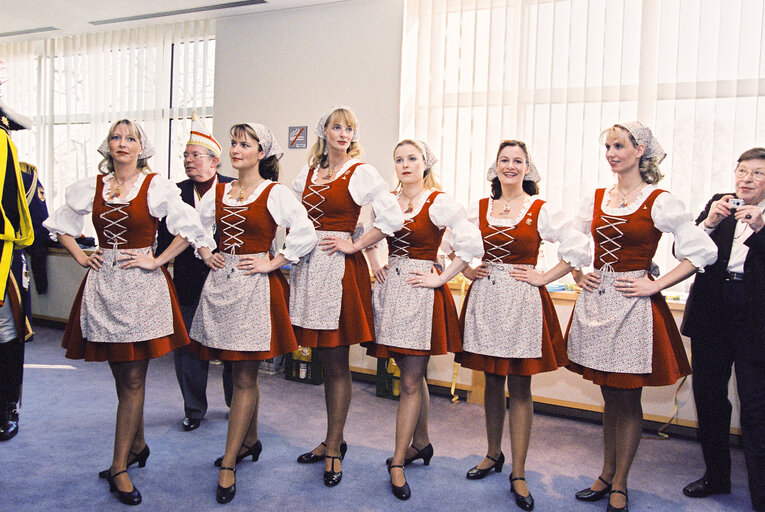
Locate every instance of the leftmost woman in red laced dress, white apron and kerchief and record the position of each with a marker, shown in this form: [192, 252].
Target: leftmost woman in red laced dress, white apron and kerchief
[126, 311]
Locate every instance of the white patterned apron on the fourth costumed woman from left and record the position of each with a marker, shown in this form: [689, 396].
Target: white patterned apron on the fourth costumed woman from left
[403, 313]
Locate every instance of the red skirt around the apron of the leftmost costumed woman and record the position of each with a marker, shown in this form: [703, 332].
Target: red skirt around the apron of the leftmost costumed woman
[78, 347]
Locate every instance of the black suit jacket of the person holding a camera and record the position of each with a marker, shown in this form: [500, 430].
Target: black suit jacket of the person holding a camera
[701, 314]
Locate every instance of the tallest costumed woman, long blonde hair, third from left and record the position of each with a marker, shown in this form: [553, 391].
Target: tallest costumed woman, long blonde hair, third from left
[330, 289]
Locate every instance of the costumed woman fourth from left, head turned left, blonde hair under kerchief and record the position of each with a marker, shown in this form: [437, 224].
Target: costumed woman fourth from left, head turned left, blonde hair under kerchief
[415, 314]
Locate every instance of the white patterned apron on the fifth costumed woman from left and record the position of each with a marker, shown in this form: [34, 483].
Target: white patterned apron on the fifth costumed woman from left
[503, 316]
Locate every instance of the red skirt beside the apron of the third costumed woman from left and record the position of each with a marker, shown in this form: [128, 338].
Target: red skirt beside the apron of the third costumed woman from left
[356, 324]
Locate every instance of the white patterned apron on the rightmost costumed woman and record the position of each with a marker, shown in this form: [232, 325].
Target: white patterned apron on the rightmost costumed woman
[611, 332]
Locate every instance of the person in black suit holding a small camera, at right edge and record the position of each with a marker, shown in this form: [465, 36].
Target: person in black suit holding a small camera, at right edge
[725, 319]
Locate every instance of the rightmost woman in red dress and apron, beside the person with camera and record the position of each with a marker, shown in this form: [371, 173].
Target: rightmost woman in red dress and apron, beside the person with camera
[622, 335]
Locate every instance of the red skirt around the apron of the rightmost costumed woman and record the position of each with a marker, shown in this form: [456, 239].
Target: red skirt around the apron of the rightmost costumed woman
[668, 362]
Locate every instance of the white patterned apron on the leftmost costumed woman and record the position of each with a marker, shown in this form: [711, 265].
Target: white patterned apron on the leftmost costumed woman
[125, 305]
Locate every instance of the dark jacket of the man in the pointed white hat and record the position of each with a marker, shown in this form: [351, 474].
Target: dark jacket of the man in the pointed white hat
[189, 272]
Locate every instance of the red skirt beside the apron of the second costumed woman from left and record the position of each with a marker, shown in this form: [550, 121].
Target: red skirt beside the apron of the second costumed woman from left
[282, 336]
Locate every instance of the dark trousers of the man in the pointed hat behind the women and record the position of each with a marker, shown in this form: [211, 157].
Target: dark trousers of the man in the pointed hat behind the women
[192, 375]
